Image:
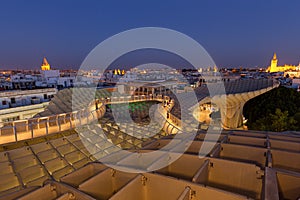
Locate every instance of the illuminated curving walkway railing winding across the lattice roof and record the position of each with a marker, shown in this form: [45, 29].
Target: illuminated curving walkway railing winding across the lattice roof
[37, 127]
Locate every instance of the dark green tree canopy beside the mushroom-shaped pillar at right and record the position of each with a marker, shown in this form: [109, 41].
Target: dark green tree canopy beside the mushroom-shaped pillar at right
[276, 110]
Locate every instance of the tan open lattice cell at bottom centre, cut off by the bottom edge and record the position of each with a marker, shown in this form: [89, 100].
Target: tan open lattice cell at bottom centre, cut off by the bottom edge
[158, 187]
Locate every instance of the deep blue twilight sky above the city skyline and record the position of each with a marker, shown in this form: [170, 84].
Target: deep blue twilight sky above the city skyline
[234, 32]
